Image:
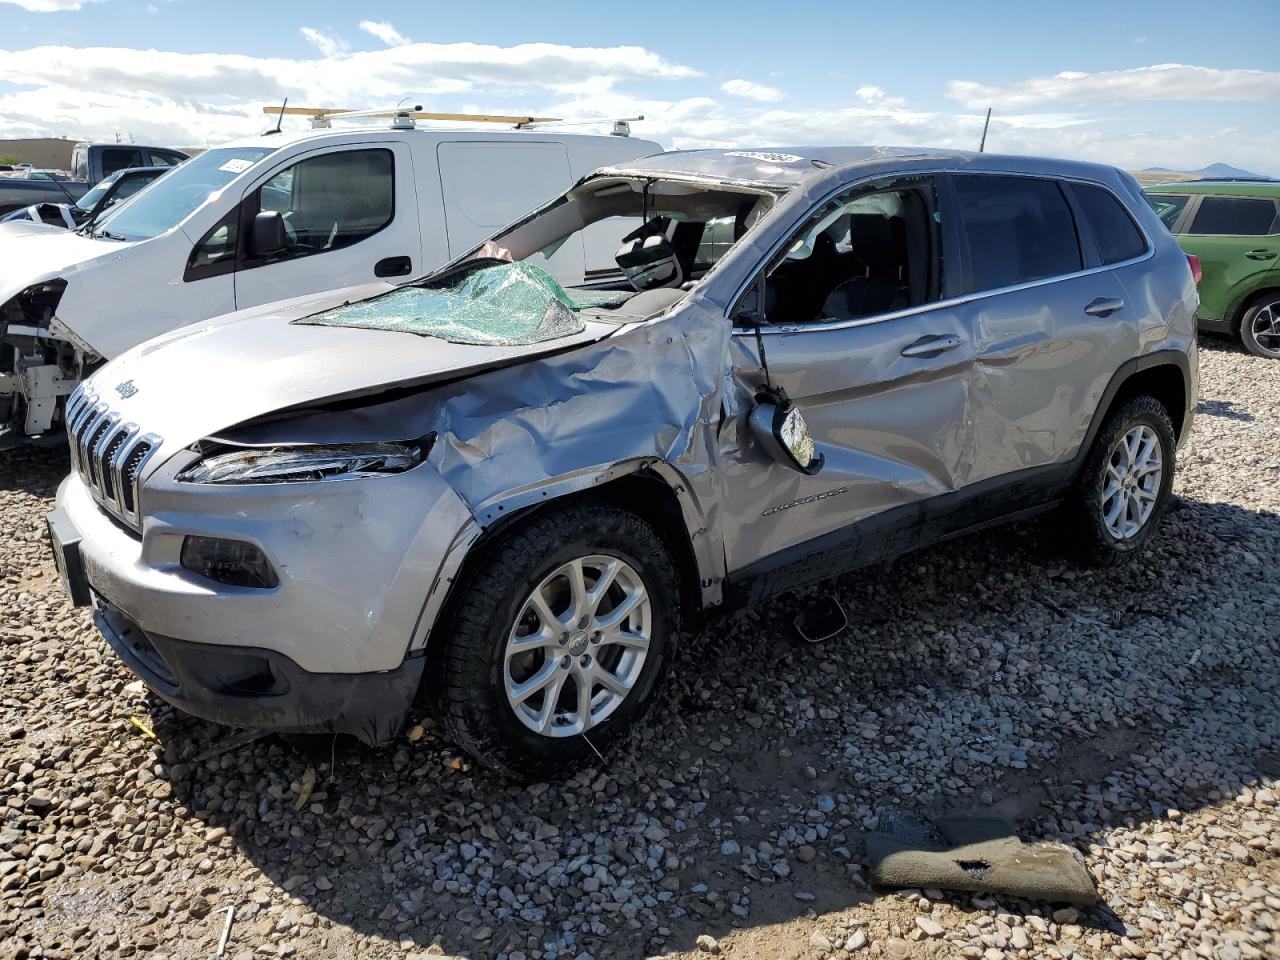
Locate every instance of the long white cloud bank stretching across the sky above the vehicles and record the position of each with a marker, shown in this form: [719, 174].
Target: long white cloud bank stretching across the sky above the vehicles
[200, 99]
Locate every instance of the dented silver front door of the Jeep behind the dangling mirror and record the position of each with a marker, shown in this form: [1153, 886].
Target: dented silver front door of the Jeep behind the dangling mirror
[885, 397]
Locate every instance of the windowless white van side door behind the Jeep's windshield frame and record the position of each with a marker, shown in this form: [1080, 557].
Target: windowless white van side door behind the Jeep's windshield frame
[490, 184]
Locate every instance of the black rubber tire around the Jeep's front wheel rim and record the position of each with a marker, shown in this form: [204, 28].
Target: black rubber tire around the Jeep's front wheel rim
[467, 682]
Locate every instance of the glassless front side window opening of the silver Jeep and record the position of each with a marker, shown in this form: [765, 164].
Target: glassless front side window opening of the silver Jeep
[861, 255]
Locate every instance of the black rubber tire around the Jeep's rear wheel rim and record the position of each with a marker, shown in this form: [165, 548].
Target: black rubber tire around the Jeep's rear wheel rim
[1082, 522]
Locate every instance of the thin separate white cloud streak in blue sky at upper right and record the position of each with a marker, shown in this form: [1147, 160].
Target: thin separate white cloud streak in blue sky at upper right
[1169, 81]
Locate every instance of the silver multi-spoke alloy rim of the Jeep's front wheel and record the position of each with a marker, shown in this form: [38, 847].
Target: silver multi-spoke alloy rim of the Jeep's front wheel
[578, 646]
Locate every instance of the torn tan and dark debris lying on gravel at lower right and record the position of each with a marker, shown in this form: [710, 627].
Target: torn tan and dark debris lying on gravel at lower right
[981, 854]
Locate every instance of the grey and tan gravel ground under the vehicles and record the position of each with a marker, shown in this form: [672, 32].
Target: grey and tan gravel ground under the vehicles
[1131, 714]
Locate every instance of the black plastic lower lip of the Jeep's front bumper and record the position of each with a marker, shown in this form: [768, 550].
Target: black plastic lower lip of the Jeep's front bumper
[255, 688]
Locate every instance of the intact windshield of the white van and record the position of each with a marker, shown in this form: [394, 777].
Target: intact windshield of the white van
[181, 191]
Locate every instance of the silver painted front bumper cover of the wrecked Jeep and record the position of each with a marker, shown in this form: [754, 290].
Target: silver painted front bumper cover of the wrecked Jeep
[363, 565]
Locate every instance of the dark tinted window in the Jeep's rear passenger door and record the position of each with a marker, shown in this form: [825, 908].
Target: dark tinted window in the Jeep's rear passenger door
[1018, 230]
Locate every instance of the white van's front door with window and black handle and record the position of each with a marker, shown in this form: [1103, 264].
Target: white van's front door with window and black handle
[350, 217]
